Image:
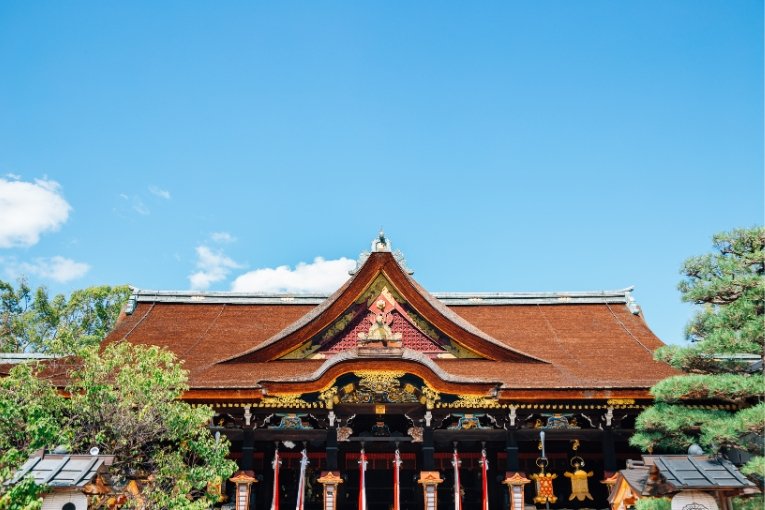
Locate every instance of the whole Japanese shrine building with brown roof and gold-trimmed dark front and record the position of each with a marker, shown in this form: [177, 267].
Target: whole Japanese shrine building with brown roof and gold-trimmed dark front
[386, 370]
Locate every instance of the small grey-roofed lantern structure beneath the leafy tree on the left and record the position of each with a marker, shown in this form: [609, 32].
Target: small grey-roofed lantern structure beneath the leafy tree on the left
[69, 478]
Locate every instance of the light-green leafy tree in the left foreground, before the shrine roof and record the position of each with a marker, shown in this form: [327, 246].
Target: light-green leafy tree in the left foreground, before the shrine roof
[124, 399]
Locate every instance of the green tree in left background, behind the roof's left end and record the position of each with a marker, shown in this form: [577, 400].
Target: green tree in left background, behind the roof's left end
[30, 321]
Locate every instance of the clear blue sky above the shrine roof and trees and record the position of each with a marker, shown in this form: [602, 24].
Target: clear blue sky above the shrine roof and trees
[504, 146]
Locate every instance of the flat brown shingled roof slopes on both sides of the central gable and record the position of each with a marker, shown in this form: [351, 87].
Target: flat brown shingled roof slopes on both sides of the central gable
[588, 345]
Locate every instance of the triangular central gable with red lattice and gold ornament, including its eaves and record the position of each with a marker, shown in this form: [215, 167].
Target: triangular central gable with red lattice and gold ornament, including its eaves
[381, 308]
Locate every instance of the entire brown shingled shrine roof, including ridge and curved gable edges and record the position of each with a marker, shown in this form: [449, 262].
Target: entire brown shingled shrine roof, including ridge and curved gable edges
[582, 344]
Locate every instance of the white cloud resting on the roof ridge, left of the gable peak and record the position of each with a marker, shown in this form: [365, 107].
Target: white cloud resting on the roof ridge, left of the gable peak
[320, 276]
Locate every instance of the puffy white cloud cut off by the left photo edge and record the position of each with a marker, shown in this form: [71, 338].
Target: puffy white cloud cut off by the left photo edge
[28, 209]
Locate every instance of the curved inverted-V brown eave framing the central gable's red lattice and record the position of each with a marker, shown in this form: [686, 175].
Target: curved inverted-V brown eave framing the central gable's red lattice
[430, 308]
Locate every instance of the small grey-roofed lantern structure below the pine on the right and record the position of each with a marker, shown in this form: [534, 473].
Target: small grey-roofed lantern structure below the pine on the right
[697, 482]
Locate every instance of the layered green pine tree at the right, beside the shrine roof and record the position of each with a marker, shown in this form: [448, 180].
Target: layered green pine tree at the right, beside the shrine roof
[726, 336]
